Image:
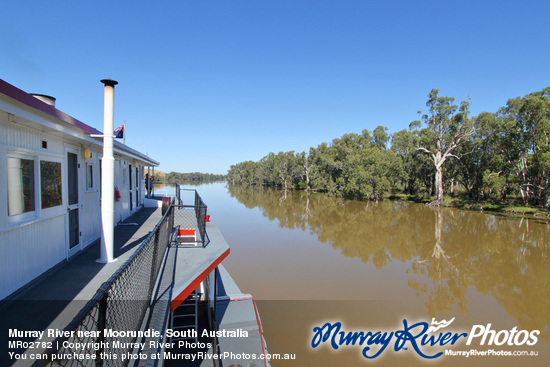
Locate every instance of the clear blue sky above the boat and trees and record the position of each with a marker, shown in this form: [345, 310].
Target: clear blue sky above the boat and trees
[206, 84]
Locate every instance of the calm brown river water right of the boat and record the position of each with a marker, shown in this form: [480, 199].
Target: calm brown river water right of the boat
[313, 259]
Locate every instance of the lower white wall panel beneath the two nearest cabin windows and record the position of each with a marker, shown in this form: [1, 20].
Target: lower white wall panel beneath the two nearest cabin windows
[29, 250]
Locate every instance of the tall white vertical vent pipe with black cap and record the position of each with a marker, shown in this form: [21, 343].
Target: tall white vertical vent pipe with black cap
[108, 174]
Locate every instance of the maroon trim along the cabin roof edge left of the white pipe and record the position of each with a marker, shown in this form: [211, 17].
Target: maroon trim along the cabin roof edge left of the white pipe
[27, 99]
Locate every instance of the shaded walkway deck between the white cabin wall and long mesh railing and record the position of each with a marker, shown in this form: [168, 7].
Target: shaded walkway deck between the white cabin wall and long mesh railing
[55, 298]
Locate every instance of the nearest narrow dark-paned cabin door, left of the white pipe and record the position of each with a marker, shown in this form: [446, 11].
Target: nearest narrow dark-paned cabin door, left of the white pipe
[73, 208]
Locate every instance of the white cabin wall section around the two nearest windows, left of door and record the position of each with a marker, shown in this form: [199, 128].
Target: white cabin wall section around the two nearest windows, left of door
[32, 246]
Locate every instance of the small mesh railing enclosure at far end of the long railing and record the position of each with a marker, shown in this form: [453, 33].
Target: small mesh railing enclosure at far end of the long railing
[191, 218]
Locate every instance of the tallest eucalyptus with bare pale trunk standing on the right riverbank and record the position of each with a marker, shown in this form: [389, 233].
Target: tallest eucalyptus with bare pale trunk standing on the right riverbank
[446, 129]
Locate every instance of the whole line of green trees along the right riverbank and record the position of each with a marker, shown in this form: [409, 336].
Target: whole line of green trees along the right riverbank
[492, 156]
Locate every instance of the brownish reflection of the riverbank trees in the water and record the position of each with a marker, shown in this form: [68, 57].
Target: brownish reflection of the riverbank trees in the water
[449, 250]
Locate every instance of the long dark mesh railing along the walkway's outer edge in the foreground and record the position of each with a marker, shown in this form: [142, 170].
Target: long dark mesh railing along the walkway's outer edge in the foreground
[118, 307]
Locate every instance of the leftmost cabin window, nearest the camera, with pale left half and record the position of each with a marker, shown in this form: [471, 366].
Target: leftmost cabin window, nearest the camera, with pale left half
[20, 185]
